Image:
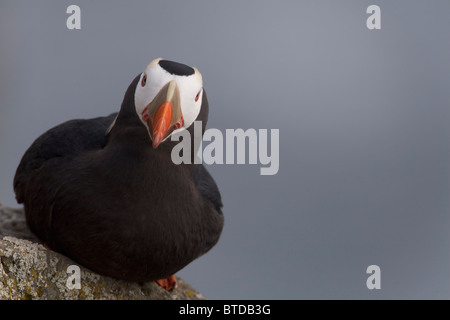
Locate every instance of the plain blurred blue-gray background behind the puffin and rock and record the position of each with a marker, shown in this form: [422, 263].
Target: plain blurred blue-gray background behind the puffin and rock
[363, 118]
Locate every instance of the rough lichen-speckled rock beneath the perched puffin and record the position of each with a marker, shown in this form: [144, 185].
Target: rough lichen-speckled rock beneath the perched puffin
[28, 270]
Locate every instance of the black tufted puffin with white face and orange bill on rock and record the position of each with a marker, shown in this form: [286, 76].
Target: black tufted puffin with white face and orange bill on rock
[105, 192]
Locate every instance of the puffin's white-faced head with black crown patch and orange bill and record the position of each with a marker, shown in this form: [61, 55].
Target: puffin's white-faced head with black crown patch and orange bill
[168, 98]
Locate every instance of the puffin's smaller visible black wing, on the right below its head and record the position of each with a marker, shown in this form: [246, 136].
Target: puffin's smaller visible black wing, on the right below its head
[207, 186]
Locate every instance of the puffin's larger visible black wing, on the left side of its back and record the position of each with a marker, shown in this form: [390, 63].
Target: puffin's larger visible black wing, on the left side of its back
[65, 140]
